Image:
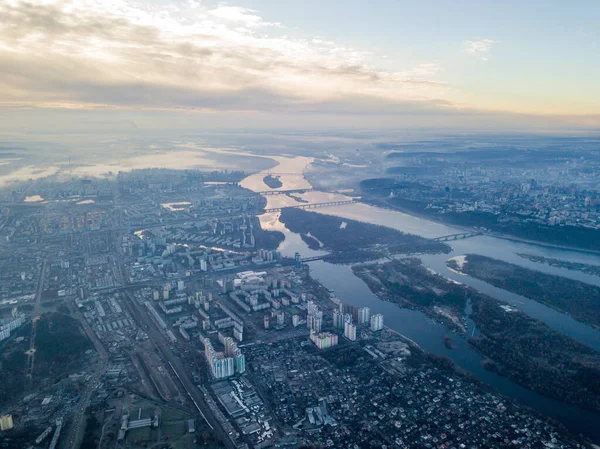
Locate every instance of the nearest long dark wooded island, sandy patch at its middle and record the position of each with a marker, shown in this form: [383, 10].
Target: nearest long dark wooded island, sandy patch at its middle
[515, 345]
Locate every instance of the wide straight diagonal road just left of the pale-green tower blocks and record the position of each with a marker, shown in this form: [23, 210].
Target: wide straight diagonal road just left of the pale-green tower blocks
[140, 314]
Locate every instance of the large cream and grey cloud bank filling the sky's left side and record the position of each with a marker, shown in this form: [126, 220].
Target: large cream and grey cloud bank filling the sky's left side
[109, 54]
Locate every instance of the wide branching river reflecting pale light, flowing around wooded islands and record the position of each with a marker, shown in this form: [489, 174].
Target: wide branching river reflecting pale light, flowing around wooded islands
[415, 325]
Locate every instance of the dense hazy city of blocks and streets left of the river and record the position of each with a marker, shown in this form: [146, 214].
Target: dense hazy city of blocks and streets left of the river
[148, 311]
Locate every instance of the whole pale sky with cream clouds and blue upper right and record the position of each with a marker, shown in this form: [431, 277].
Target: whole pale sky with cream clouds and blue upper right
[92, 64]
